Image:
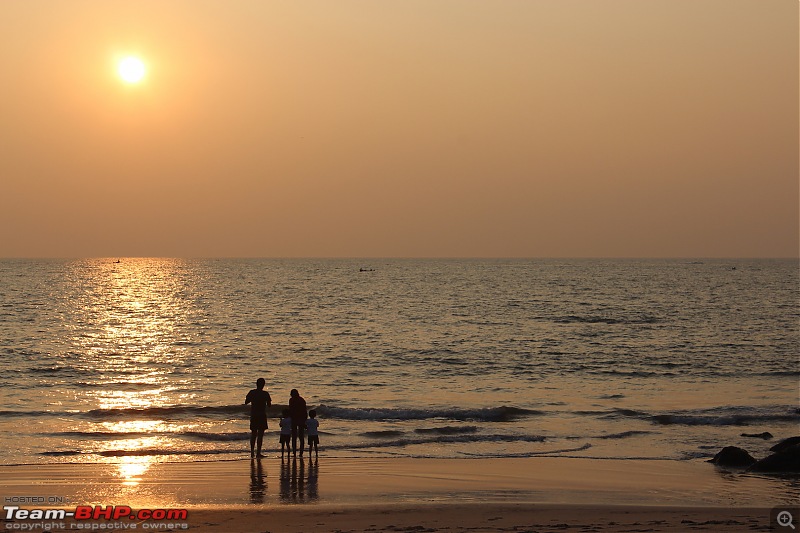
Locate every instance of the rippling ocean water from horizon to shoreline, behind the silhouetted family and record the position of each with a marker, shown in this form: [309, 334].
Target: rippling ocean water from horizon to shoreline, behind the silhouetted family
[146, 360]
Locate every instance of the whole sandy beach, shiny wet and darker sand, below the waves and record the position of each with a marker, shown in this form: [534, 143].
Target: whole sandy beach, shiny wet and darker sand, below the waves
[333, 494]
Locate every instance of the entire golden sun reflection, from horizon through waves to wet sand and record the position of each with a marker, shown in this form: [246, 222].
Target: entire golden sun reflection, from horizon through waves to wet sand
[129, 332]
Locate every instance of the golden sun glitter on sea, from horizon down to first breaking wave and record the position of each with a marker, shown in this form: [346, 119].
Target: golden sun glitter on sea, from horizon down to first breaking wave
[130, 330]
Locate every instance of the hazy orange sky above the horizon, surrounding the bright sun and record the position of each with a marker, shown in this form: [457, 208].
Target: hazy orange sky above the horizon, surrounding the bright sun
[457, 128]
